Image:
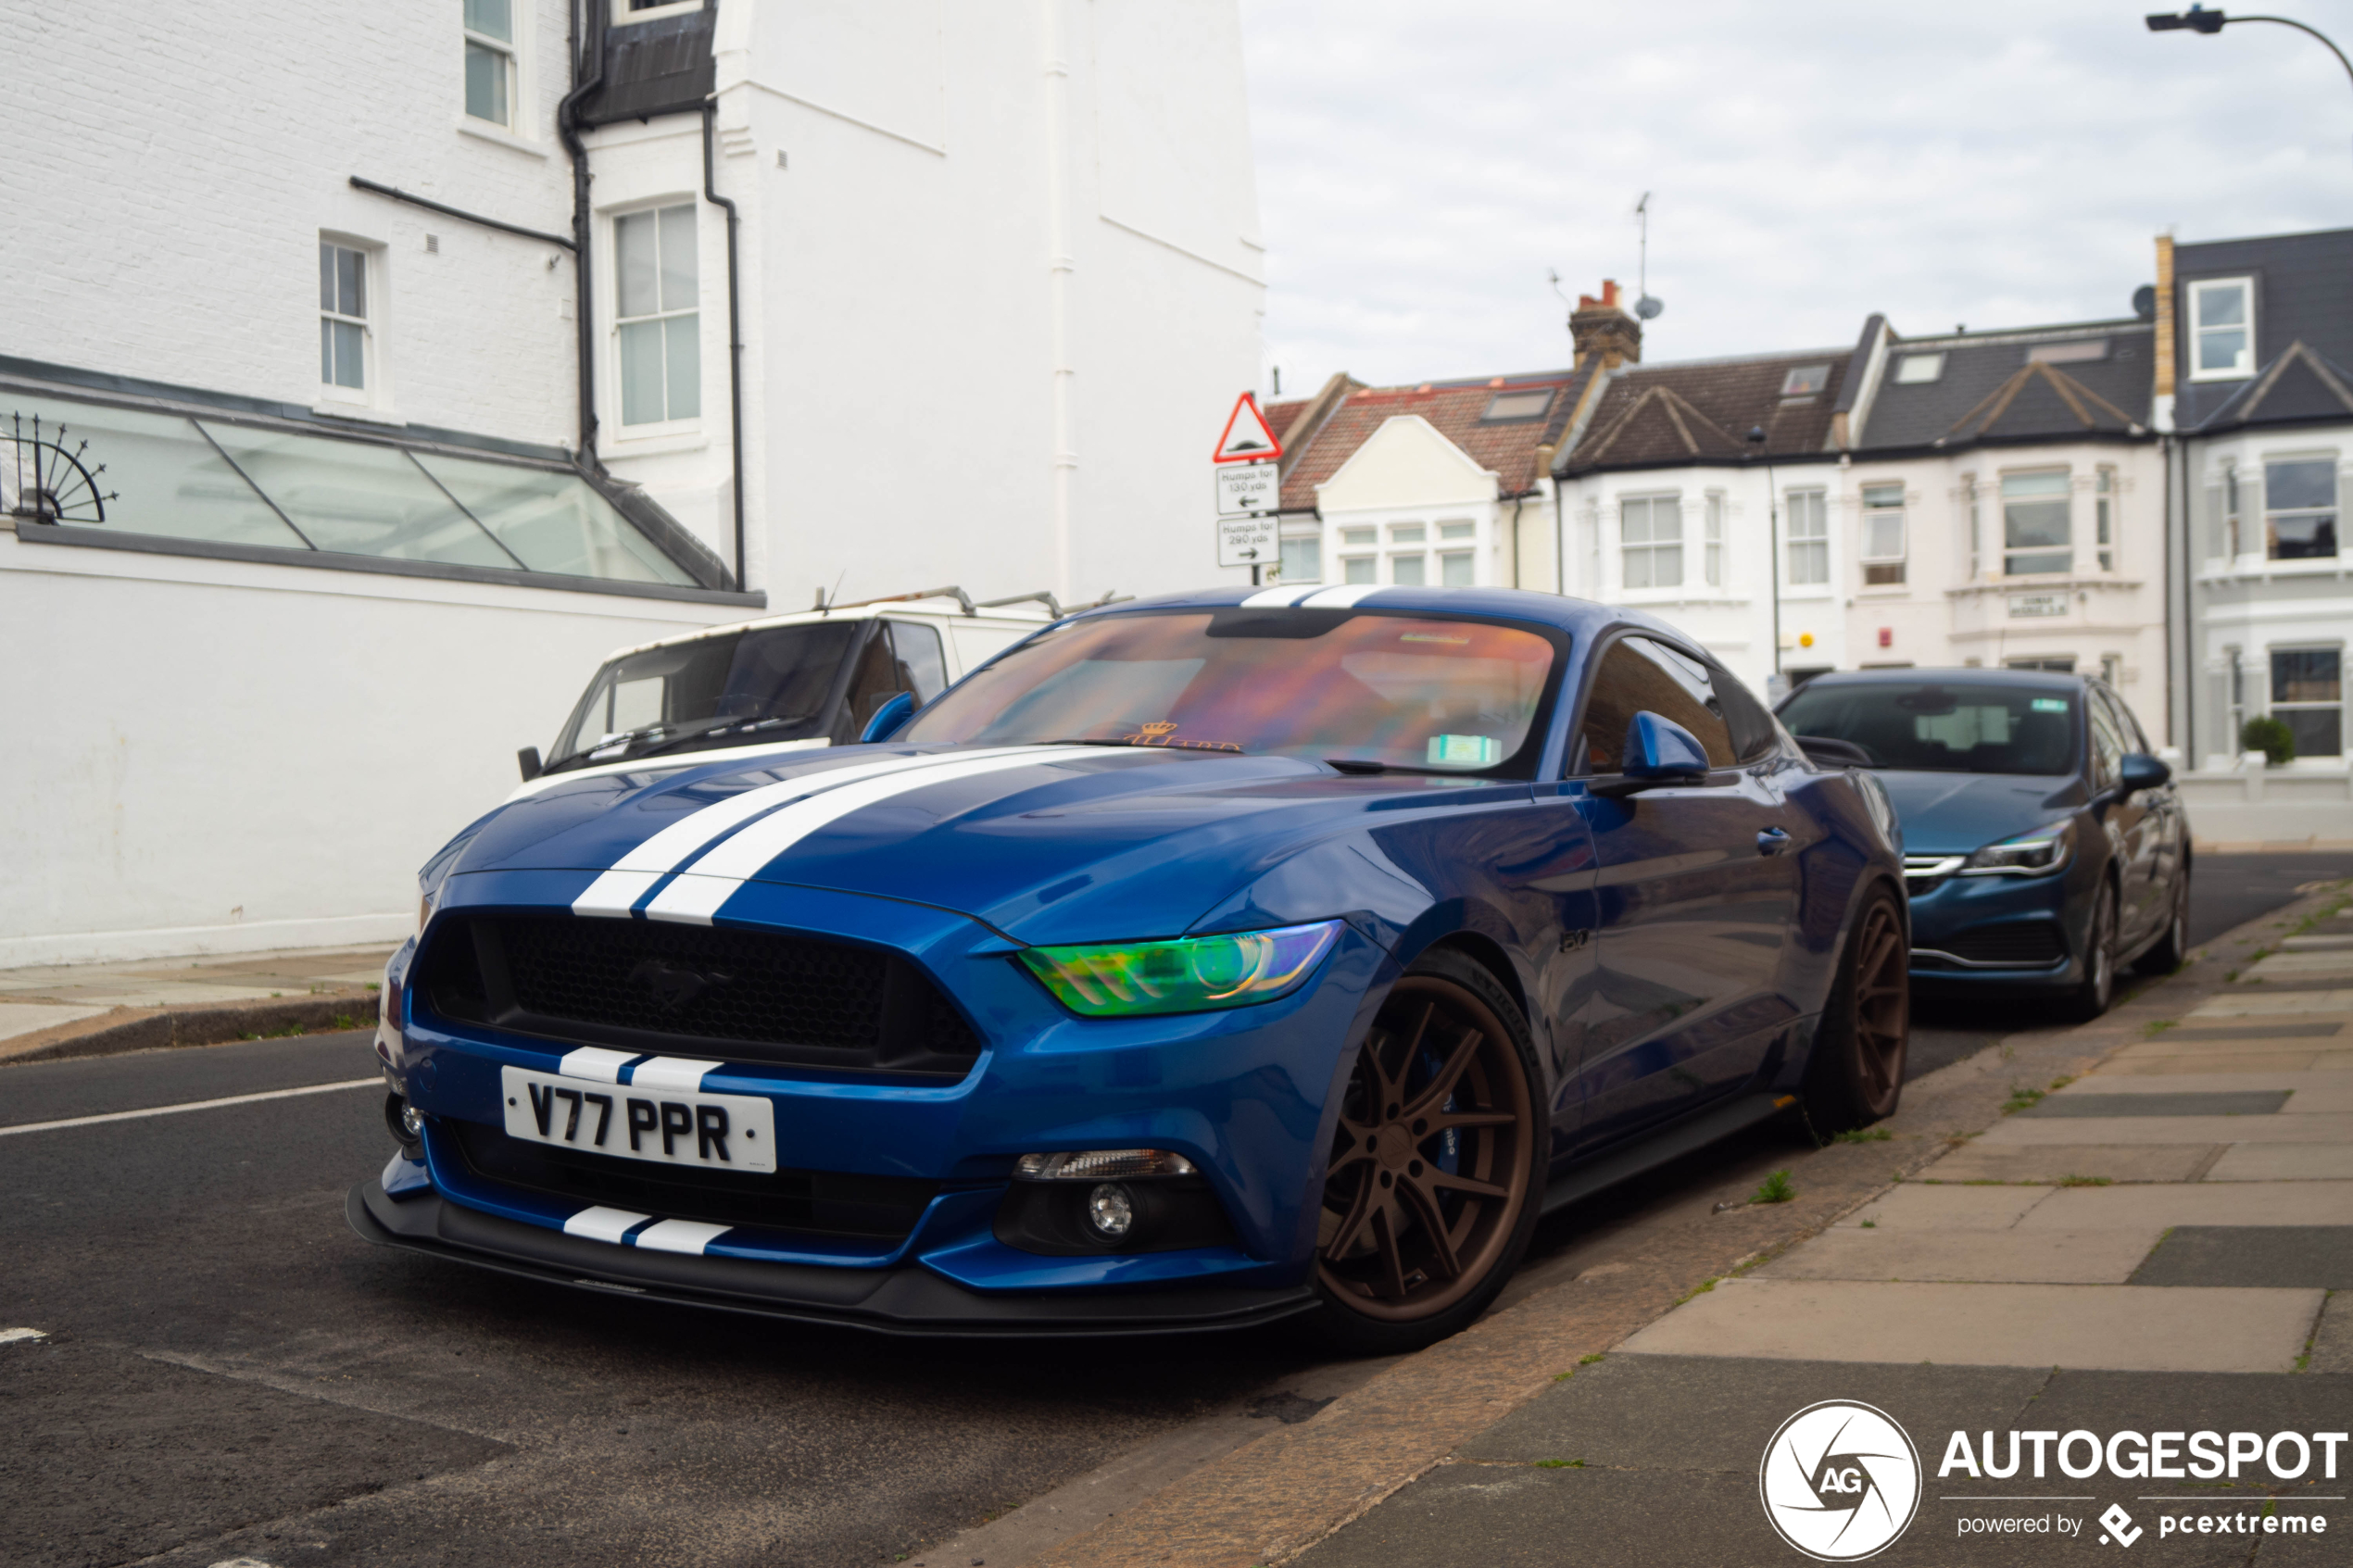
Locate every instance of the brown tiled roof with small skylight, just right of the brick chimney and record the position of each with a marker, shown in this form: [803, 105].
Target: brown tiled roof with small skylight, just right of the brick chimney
[1702, 413]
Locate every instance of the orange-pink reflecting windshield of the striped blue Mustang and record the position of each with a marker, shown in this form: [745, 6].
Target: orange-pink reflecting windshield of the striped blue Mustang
[1380, 690]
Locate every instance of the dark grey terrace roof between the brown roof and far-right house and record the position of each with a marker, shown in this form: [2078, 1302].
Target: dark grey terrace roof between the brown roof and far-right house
[1997, 387]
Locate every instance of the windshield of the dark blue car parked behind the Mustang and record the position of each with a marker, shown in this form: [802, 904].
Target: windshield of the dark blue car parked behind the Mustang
[1945, 728]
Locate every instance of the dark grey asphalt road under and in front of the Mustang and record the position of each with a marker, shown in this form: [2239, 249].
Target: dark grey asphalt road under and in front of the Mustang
[232, 1374]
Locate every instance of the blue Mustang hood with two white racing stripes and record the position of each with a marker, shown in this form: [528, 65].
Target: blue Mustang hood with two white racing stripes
[1041, 843]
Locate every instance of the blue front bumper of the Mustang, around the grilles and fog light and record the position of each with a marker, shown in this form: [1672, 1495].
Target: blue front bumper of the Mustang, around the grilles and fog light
[1244, 1094]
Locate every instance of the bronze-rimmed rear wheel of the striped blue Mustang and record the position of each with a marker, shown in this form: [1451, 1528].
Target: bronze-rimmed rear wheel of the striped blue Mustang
[1855, 1073]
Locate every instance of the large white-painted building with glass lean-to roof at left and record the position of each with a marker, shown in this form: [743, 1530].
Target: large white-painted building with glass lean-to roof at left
[401, 342]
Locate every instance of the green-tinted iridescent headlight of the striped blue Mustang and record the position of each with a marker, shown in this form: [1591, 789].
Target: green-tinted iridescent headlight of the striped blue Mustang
[1187, 977]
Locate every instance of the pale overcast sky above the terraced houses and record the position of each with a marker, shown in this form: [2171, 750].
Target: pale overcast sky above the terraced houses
[1999, 163]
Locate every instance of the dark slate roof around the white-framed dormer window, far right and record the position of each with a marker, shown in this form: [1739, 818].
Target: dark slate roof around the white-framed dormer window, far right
[2300, 297]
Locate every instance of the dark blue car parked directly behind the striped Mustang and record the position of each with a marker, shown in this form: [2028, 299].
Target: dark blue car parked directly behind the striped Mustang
[2046, 845]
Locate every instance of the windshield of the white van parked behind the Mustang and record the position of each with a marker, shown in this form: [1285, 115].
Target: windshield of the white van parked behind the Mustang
[766, 685]
